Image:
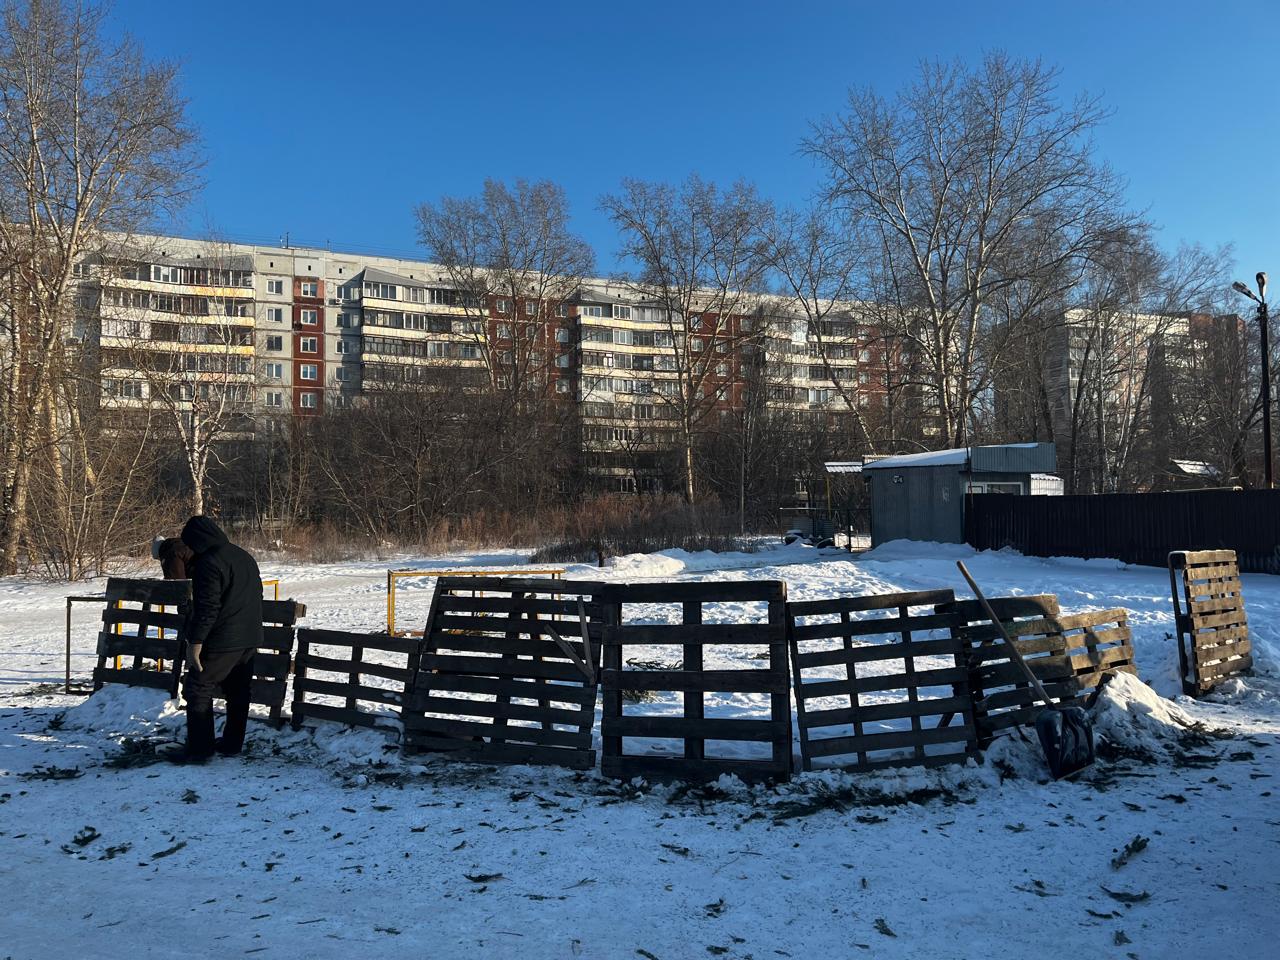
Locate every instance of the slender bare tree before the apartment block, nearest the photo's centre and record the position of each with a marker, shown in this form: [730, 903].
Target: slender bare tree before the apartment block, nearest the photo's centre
[701, 262]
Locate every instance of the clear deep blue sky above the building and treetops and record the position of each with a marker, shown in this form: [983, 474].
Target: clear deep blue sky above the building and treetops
[331, 121]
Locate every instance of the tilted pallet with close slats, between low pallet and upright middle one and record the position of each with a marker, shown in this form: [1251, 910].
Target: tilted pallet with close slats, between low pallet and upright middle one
[509, 673]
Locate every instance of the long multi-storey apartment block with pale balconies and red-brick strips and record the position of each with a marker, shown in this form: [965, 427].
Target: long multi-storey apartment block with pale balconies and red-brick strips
[295, 332]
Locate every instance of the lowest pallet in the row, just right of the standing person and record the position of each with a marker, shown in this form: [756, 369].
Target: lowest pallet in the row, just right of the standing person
[326, 676]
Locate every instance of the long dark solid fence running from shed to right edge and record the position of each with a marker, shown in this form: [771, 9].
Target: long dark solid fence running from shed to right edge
[1136, 528]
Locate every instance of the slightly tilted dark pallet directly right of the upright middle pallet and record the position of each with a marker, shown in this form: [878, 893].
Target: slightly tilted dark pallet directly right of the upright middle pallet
[872, 692]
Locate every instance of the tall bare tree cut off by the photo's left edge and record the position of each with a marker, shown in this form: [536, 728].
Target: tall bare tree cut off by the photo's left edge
[94, 140]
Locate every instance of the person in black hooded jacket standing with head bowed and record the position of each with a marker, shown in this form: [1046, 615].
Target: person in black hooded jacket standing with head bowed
[225, 632]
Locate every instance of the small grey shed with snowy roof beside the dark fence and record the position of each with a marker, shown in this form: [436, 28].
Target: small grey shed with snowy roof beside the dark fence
[922, 496]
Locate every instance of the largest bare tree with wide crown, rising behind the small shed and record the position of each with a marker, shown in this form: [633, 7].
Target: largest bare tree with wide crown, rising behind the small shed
[968, 185]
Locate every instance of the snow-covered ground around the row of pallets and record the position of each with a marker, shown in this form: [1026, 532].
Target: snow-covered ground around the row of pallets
[328, 845]
